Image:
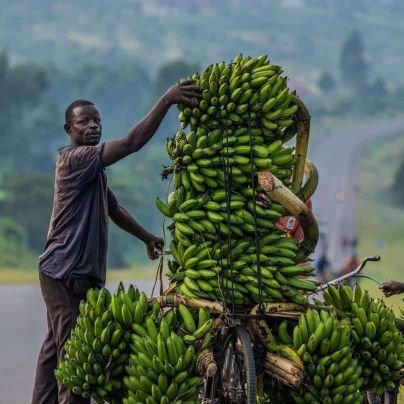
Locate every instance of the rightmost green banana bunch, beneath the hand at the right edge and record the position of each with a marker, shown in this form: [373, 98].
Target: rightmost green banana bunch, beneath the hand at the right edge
[378, 345]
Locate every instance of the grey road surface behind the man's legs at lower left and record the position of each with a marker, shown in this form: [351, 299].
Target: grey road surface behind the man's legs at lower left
[22, 329]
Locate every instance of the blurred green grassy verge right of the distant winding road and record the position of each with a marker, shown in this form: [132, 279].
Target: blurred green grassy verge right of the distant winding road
[380, 224]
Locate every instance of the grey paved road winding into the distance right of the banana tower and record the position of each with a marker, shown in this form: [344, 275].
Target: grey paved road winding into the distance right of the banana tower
[336, 158]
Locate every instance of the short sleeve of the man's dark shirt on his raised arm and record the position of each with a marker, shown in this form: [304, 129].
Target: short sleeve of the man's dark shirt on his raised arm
[86, 162]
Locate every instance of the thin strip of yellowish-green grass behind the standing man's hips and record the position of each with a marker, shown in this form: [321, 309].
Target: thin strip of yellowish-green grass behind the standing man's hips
[10, 276]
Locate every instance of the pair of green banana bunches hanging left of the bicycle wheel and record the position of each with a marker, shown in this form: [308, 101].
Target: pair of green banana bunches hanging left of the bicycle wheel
[125, 349]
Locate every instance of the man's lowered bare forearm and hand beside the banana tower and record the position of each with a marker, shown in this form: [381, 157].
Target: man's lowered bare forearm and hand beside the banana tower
[122, 218]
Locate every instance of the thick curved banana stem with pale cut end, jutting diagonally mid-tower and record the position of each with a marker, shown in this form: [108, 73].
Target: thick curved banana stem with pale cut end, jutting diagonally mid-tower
[278, 192]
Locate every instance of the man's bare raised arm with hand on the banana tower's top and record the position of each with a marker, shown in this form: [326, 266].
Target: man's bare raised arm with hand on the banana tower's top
[142, 132]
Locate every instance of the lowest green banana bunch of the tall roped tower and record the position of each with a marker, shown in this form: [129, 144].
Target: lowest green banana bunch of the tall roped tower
[204, 271]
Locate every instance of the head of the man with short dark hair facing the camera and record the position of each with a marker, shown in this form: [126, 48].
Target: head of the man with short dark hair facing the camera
[83, 123]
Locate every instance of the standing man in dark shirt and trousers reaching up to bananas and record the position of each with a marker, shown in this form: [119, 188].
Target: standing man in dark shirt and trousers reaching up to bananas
[74, 258]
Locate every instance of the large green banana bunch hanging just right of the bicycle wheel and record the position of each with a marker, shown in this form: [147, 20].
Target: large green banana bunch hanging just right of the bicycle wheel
[332, 374]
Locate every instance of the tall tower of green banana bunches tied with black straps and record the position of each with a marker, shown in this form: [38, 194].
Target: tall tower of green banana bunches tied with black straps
[239, 128]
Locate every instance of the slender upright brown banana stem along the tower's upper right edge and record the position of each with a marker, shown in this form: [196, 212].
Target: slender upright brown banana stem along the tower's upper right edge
[302, 142]
